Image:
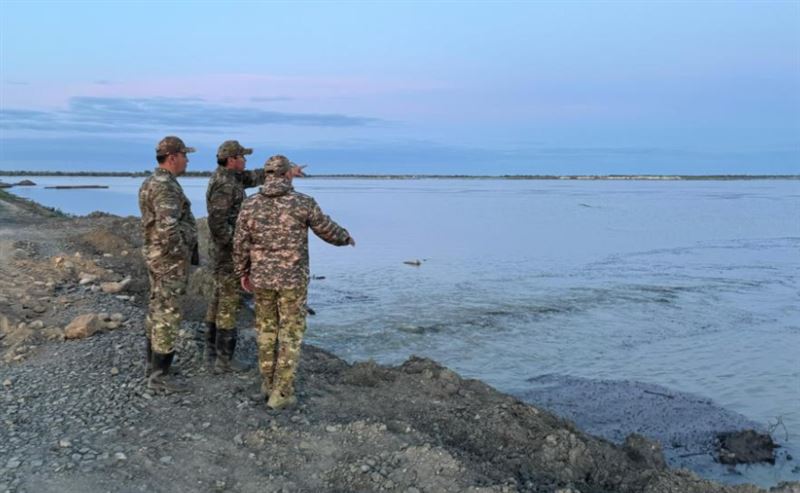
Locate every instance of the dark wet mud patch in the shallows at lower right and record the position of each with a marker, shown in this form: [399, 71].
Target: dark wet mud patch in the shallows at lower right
[686, 426]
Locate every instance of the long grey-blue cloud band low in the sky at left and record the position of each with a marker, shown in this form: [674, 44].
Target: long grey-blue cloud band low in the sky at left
[94, 114]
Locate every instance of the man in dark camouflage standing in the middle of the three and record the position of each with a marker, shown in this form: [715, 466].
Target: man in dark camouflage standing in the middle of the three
[224, 198]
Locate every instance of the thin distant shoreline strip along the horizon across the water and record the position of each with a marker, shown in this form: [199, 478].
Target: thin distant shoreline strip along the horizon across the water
[206, 174]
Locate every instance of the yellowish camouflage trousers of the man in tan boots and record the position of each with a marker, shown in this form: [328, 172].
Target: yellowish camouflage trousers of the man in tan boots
[280, 325]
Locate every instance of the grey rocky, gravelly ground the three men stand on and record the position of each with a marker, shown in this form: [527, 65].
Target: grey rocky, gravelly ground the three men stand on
[76, 417]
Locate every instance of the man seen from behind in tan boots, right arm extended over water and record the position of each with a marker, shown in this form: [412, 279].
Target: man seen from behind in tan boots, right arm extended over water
[270, 254]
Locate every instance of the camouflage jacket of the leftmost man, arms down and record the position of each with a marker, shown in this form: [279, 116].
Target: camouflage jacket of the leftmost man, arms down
[168, 226]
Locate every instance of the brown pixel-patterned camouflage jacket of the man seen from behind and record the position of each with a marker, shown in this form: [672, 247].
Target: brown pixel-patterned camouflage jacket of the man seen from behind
[271, 241]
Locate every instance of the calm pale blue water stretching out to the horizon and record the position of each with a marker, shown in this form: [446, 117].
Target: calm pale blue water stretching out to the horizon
[691, 285]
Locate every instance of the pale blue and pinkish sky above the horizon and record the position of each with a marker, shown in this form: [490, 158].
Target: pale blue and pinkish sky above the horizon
[406, 87]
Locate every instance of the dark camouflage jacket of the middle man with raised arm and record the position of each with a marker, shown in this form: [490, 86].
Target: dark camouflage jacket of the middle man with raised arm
[224, 198]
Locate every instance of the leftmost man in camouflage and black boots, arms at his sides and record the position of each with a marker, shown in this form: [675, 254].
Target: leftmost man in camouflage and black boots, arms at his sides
[170, 245]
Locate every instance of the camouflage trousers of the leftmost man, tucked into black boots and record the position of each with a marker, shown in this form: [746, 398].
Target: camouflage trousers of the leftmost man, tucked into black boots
[163, 318]
